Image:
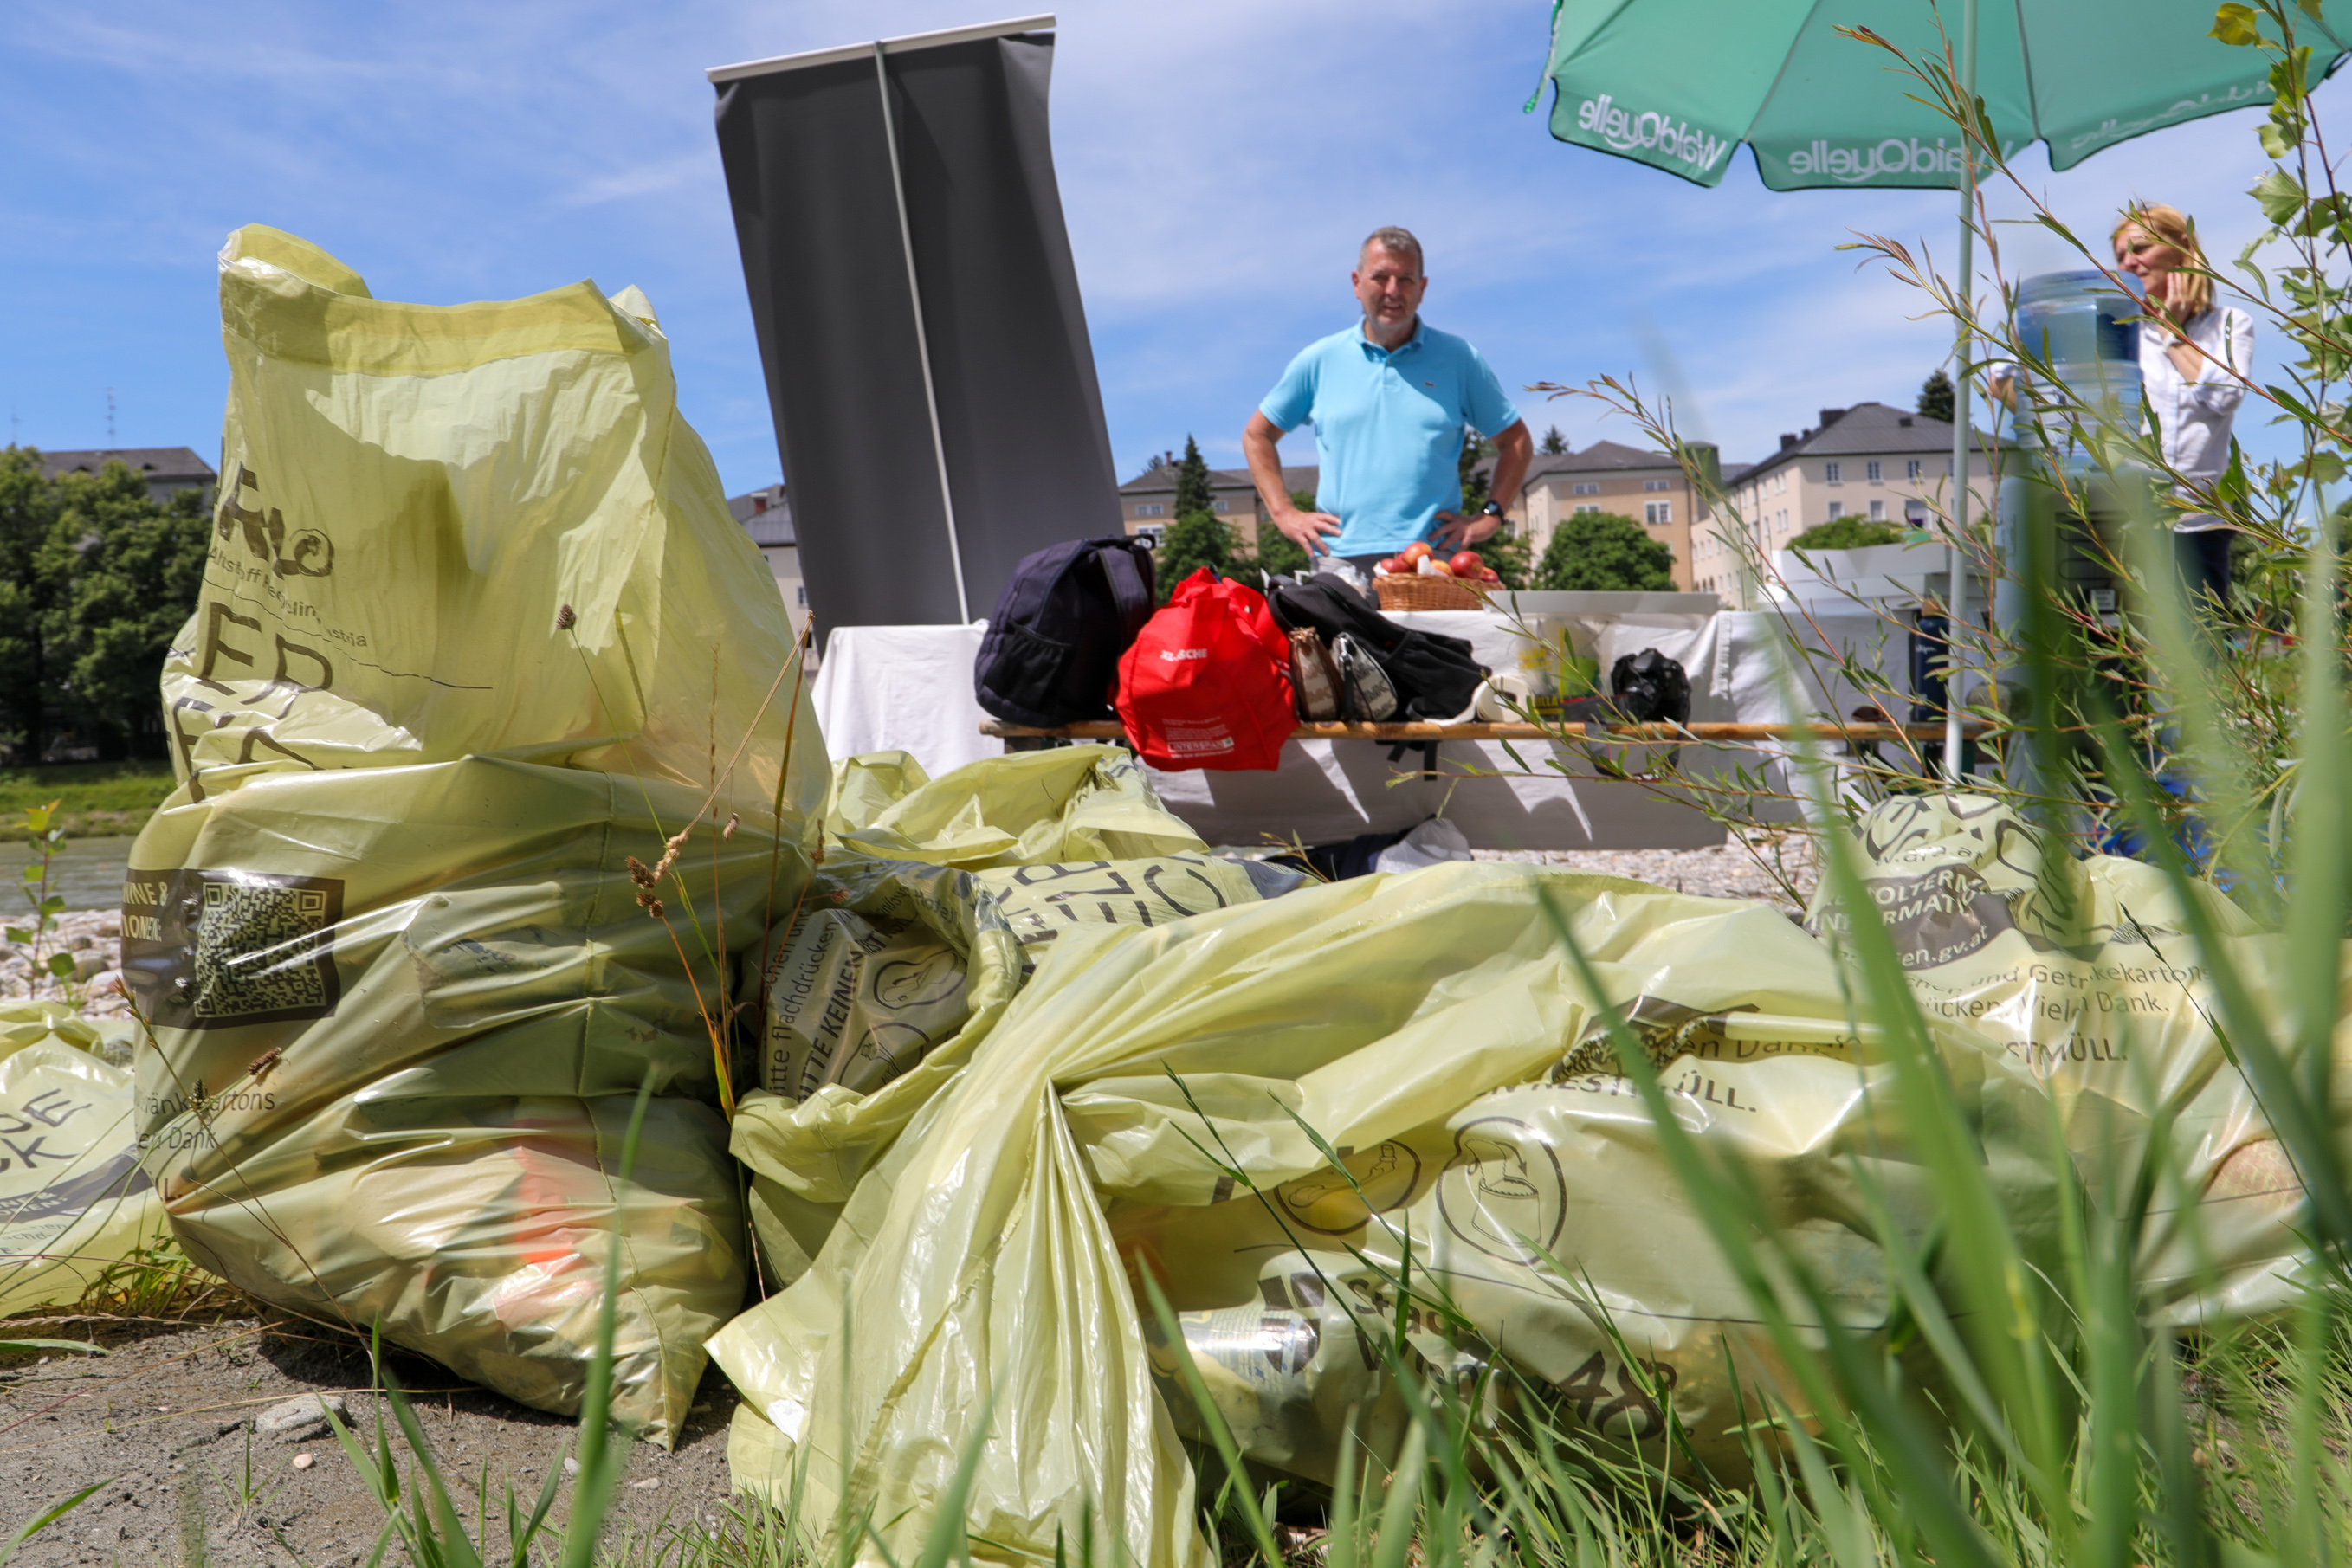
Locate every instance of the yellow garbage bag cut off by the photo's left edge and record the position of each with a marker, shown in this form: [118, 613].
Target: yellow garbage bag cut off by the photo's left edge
[72, 1193]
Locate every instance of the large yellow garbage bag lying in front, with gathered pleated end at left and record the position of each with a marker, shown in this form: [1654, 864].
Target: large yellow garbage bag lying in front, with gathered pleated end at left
[1434, 1031]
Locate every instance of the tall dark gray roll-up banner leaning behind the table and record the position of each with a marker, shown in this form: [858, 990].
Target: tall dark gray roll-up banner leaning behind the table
[918, 316]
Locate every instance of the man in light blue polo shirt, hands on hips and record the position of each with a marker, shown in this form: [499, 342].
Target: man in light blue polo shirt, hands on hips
[1391, 401]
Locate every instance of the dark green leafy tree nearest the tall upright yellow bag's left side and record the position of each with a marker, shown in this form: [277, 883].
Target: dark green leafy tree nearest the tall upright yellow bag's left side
[128, 572]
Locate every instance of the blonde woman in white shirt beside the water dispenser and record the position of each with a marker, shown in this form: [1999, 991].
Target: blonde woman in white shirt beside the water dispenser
[2193, 356]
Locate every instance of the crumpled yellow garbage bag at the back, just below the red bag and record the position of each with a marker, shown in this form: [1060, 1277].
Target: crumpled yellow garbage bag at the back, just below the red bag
[1071, 803]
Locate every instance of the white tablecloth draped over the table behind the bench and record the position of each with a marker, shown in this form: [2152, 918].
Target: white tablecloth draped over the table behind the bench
[909, 688]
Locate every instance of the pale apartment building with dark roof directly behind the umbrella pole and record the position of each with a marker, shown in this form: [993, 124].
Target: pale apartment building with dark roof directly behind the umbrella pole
[1866, 462]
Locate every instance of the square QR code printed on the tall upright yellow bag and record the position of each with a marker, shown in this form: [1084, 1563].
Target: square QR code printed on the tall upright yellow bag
[265, 949]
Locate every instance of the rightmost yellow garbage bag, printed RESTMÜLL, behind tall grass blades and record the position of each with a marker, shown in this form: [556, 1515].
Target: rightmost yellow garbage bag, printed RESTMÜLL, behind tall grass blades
[2083, 972]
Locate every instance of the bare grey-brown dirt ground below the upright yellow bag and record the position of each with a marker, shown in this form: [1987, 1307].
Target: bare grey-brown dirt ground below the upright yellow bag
[166, 1426]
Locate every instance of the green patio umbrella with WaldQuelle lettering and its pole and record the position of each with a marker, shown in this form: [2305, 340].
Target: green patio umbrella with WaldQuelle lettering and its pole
[1683, 83]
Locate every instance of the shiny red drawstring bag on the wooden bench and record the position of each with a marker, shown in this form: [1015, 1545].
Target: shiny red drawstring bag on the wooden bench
[1208, 681]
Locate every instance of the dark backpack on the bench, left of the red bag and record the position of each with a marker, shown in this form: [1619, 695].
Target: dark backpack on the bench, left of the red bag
[1053, 650]
